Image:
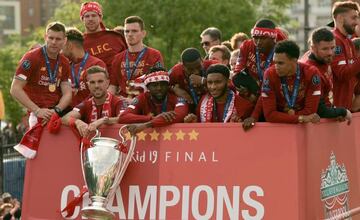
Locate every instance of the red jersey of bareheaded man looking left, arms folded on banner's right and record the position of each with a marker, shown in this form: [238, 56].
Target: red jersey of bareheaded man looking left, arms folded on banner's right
[307, 100]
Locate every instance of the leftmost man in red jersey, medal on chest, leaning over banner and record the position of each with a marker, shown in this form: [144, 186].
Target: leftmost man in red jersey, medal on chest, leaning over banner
[41, 82]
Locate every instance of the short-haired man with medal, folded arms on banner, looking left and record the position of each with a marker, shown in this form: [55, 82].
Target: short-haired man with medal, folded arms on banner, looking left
[291, 90]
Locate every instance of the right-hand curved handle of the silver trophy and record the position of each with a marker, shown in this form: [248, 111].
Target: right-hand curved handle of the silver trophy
[126, 161]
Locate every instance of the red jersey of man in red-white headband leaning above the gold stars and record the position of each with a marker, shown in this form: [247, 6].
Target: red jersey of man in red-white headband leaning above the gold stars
[143, 109]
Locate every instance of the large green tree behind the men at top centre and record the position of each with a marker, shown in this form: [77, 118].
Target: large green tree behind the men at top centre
[174, 25]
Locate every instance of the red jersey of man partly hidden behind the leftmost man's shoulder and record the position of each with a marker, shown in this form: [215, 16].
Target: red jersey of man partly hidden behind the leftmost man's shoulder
[81, 93]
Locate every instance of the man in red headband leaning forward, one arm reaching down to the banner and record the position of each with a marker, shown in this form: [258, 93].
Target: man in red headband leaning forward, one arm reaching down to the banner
[256, 55]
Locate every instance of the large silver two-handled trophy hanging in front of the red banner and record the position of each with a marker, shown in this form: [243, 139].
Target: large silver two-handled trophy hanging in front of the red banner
[103, 166]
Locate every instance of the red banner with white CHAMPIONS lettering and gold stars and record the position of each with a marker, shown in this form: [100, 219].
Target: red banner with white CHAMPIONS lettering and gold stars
[212, 171]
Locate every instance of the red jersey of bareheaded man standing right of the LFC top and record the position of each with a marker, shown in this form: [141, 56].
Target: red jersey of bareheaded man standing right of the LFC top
[119, 77]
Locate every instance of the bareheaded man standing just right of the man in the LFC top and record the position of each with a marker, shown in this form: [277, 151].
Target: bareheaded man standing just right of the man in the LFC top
[135, 61]
